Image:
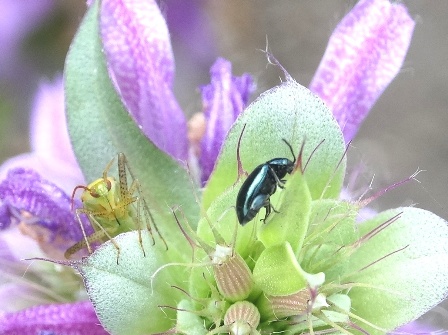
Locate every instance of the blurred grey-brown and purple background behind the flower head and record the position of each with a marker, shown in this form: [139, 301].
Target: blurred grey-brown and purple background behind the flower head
[406, 130]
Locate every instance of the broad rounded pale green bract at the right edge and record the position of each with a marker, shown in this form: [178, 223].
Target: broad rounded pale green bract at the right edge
[401, 272]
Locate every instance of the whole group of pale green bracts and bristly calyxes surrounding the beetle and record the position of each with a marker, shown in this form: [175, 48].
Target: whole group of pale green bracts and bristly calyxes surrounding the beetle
[311, 265]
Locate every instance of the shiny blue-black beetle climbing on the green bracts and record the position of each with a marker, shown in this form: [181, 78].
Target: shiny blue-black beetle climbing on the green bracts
[257, 189]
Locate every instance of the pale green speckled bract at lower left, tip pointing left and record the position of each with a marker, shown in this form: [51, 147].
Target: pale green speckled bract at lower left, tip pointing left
[127, 295]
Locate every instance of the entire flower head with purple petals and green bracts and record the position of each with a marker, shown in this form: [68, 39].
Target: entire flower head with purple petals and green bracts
[309, 268]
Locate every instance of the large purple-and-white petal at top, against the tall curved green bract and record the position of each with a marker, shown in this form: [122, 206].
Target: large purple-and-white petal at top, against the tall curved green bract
[140, 61]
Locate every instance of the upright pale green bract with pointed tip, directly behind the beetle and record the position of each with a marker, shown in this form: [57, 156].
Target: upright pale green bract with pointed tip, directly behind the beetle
[291, 112]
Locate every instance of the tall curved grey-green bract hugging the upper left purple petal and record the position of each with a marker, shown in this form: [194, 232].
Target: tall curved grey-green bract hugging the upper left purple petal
[100, 127]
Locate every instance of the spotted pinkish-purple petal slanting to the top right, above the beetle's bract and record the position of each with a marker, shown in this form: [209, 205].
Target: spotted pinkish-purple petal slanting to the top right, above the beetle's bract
[364, 54]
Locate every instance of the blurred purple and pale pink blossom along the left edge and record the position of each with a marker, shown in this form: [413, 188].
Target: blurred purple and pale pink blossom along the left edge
[41, 210]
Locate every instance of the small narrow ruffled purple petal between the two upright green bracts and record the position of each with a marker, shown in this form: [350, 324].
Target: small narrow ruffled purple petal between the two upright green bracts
[223, 100]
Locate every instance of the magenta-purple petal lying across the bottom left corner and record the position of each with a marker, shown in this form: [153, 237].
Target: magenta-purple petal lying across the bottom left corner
[75, 319]
